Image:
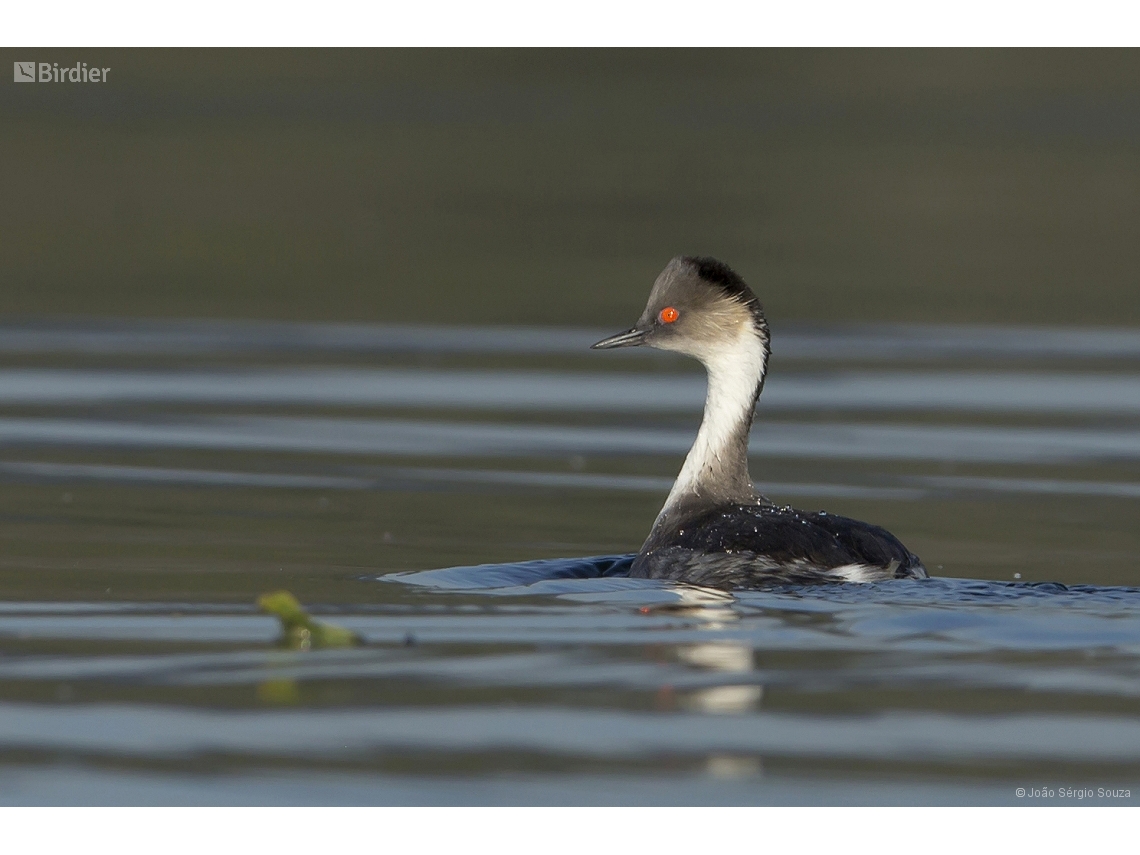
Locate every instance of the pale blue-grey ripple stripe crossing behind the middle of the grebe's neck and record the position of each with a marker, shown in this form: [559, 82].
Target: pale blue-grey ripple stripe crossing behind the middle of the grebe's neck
[964, 444]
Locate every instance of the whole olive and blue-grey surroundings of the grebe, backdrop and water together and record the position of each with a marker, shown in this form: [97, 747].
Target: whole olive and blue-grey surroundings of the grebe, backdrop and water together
[320, 320]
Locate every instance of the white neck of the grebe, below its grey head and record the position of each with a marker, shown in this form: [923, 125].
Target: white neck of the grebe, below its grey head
[718, 465]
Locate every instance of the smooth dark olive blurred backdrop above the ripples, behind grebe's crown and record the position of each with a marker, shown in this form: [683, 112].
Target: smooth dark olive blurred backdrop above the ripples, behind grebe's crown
[550, 186]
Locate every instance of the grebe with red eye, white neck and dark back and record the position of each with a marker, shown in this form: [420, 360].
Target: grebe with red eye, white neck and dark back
[715, 528]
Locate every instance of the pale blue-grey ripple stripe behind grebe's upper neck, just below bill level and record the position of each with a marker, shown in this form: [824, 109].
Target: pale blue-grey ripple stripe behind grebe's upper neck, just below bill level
[568, 392]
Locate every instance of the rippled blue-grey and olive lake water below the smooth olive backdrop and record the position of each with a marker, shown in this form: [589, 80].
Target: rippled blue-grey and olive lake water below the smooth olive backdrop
[466, 499]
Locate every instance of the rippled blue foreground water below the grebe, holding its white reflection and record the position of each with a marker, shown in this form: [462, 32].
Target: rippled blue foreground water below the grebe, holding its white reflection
[1057, 659]
